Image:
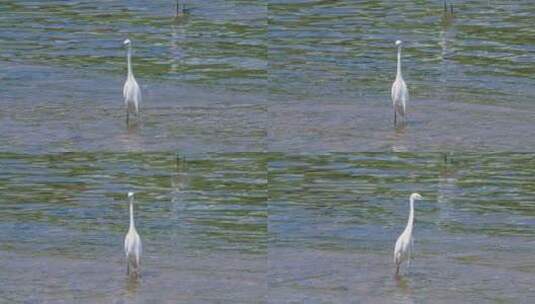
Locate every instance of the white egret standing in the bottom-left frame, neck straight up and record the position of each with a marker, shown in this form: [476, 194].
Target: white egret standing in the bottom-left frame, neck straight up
[132, 243]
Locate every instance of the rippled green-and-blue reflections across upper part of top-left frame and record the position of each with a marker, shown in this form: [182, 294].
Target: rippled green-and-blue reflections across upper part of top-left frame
[220, 42]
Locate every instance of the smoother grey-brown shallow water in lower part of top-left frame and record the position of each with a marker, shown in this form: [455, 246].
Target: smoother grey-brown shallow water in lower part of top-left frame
[66, 110]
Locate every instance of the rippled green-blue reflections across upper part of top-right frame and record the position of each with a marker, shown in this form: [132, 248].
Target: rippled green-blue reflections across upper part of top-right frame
[348, 46]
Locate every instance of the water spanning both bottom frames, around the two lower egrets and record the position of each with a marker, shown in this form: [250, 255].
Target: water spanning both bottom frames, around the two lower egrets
[276, 228]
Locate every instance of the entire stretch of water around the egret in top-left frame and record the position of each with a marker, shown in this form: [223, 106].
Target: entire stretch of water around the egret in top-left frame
[62, 68]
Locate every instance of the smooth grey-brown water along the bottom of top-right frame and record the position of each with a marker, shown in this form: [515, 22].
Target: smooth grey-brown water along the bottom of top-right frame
[319, 127]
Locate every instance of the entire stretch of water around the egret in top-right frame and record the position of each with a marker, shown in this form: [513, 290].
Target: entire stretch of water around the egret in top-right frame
[470, 77]
